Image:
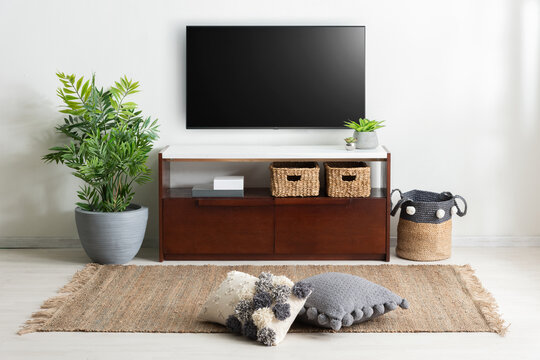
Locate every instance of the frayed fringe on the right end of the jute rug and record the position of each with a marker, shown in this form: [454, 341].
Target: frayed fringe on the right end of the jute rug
[484, 301]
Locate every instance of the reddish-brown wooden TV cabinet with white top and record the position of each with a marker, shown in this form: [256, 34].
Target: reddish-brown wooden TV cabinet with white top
[261, 227]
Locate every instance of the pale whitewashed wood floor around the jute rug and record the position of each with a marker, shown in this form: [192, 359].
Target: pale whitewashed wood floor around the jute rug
[27, 277]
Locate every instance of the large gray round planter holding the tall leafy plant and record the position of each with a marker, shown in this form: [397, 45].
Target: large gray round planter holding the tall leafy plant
[112, 238]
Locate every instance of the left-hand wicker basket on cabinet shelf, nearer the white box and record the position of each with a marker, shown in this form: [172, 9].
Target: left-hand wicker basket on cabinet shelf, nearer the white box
[294, 179]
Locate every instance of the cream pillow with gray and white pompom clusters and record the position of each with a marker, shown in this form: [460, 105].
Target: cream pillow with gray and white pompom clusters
[261, 309]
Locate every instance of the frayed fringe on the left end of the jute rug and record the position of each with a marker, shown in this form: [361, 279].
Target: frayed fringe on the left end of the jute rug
[52, 305]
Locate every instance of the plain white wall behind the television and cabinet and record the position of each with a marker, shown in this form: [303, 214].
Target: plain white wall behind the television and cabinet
[457, 82]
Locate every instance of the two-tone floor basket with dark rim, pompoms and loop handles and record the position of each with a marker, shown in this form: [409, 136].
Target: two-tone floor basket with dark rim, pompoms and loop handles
[425, 224]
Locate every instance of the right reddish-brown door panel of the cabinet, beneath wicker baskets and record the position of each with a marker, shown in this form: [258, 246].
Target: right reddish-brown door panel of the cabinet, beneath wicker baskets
[352, 226]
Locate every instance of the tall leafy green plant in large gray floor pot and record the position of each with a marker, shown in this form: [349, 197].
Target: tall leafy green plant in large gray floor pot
[109, 143]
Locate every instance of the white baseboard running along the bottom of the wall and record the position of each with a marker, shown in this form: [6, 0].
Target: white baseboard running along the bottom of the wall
[57, 242]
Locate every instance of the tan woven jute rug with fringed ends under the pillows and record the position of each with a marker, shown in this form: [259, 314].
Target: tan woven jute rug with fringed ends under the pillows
[115, 298]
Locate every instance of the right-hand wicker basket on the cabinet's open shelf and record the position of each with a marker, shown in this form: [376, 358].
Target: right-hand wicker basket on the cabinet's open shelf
[348, 179]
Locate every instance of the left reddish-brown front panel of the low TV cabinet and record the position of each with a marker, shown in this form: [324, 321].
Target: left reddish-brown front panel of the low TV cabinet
[218, 226]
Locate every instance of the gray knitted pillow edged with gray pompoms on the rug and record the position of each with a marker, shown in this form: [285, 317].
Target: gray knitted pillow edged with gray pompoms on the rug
[342, 300]
